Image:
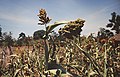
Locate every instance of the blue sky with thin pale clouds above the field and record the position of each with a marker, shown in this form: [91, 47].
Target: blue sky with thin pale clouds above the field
[18, 16]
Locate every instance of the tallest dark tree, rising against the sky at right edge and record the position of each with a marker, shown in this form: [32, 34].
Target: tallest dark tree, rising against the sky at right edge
[114, 23]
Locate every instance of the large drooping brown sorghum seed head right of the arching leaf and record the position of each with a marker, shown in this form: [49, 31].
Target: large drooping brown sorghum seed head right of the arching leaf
[72, 29]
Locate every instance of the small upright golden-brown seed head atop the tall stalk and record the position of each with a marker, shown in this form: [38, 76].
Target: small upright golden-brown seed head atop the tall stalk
[43, 17]
